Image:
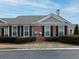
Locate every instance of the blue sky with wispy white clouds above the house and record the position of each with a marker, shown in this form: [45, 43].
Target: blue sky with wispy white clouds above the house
[69, 9]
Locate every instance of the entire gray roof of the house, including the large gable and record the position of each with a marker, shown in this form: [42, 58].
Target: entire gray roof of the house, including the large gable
[29, 20]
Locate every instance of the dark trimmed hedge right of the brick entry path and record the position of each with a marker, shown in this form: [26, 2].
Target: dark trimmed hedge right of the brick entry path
[64, 39]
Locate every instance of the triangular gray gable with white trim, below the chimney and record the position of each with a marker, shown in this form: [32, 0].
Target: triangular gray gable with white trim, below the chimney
[53, 18]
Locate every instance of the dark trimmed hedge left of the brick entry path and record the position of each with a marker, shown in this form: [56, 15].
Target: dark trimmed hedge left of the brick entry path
[16, 39]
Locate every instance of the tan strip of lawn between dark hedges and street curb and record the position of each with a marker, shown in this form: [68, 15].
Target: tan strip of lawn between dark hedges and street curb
[37, 45]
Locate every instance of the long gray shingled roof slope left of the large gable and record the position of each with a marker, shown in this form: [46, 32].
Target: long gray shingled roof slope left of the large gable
[20, 20]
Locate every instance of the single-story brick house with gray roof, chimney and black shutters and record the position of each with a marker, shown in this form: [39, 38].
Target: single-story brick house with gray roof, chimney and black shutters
[38, 25]
